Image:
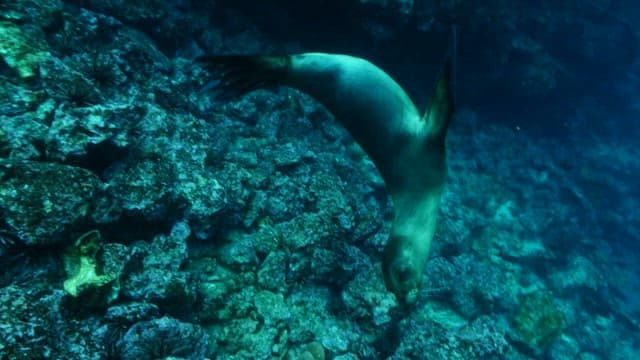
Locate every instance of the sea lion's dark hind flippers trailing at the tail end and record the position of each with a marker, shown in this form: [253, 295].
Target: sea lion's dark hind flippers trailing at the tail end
[236, 75]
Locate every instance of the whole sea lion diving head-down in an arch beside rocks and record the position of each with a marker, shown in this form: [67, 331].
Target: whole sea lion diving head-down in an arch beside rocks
[408, 149]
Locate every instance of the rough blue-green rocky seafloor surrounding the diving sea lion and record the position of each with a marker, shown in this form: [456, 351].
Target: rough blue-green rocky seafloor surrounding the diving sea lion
[143, 219]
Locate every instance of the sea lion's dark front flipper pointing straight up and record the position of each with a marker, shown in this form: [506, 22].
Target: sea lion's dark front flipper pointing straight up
[441, 104]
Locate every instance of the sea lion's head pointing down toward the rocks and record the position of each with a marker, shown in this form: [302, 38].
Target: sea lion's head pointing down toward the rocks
[402, 268]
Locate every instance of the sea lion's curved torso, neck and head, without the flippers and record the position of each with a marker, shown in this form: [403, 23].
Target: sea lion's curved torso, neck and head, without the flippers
[409, 155]
